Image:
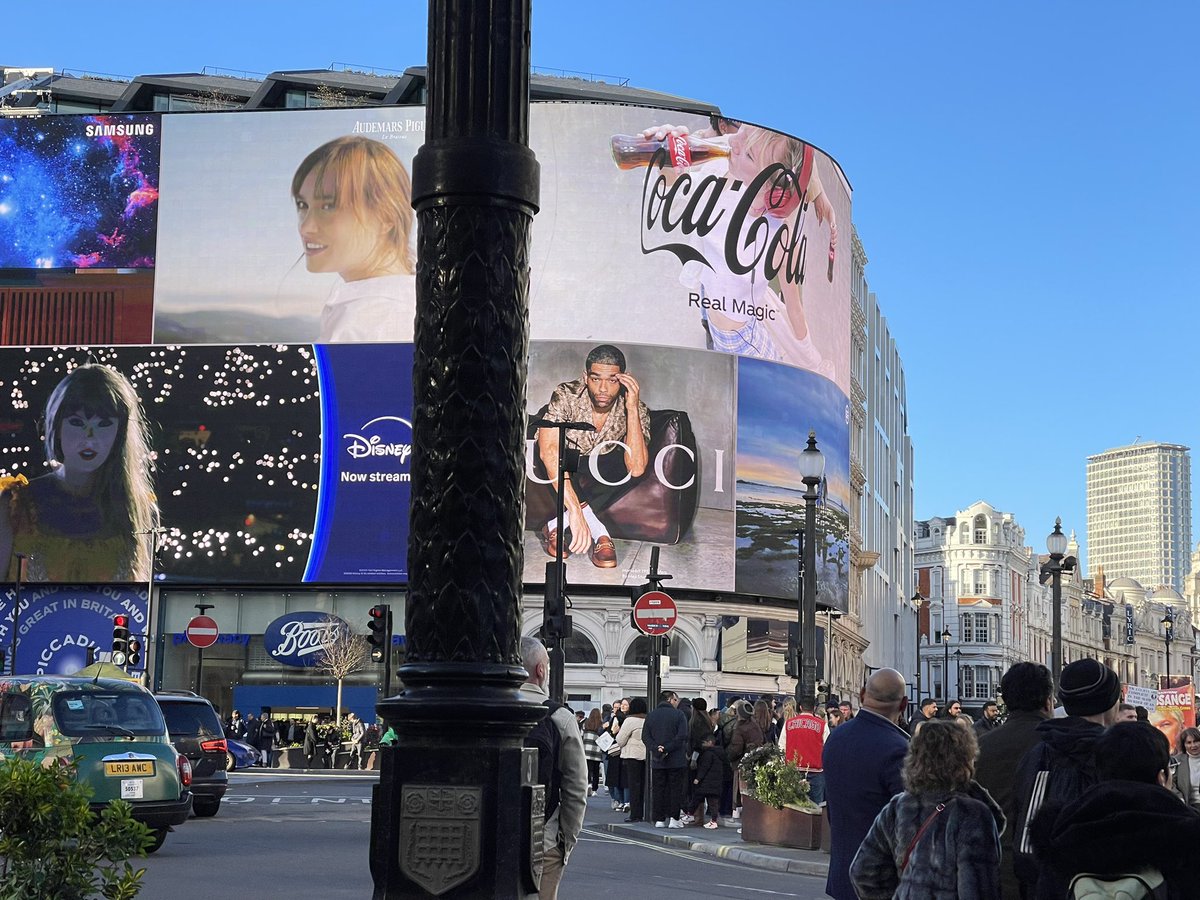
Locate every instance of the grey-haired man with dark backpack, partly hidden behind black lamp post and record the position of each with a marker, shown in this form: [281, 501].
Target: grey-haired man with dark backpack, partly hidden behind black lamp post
[562, 769]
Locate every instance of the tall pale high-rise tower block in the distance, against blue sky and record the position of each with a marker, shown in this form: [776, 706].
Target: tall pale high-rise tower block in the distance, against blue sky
[1139, 514]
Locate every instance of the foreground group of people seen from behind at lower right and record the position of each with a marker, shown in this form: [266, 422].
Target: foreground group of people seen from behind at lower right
[1064, 795]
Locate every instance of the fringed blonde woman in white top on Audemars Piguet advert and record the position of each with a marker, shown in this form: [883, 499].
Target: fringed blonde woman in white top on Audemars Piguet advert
[353, 200]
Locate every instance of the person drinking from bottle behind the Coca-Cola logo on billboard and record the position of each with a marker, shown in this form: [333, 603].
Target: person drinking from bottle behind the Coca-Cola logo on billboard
[746, 315]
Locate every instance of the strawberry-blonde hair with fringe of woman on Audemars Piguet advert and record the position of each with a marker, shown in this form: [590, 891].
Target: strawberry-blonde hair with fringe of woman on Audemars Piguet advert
[371, 182]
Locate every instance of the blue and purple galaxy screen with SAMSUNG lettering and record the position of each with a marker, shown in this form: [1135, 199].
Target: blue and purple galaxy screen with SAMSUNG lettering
[79, 191]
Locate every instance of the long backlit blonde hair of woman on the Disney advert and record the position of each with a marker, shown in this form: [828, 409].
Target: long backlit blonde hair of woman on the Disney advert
[124, 489]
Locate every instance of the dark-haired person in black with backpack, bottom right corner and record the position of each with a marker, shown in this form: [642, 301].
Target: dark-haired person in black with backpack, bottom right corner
[1127, 833]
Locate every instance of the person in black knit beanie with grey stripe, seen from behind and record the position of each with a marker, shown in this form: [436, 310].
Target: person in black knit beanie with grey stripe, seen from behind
[1063, 769]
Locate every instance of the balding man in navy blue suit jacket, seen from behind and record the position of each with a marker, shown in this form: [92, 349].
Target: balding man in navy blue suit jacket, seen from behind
[863, 759]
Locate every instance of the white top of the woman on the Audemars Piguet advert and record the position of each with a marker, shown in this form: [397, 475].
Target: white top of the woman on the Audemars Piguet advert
[370, 310]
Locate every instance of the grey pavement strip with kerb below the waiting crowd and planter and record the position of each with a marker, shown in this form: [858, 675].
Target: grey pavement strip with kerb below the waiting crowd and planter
[724, 843]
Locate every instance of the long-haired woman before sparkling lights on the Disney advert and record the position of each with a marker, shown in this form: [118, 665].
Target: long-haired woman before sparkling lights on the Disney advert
[87, 520]
